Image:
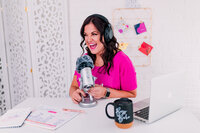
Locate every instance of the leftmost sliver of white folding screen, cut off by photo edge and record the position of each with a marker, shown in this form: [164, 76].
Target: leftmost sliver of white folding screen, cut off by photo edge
[4, 87]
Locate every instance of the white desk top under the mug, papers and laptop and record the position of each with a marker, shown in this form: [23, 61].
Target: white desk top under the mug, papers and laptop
[94, 120]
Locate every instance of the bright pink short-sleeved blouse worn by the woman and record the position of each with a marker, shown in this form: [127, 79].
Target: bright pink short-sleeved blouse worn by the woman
[122, 74]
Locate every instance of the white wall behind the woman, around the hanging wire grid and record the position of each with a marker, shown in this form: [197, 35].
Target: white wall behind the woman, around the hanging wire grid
[175, 37]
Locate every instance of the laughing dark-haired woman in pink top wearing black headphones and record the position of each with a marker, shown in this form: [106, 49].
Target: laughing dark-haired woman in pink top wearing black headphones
[115, 73]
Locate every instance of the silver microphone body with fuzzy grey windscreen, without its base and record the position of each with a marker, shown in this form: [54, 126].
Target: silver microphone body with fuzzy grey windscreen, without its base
[84, 64]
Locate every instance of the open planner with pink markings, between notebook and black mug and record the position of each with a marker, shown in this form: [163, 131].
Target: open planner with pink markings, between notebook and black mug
[50, 117]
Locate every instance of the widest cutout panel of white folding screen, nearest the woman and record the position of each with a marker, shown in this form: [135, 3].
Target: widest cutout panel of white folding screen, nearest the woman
[49, 41]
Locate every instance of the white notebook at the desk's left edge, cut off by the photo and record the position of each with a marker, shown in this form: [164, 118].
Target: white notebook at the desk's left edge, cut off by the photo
[14, 117]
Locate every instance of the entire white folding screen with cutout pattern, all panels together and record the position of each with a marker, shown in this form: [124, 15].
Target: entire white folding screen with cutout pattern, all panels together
[36, 49]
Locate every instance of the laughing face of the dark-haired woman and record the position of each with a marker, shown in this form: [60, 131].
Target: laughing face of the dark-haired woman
[92, 39]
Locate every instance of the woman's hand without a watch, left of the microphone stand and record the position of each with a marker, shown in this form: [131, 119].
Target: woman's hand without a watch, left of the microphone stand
[76, 95]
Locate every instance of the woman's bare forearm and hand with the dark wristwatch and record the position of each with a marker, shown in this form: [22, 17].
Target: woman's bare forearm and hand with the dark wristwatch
[100, 92]
